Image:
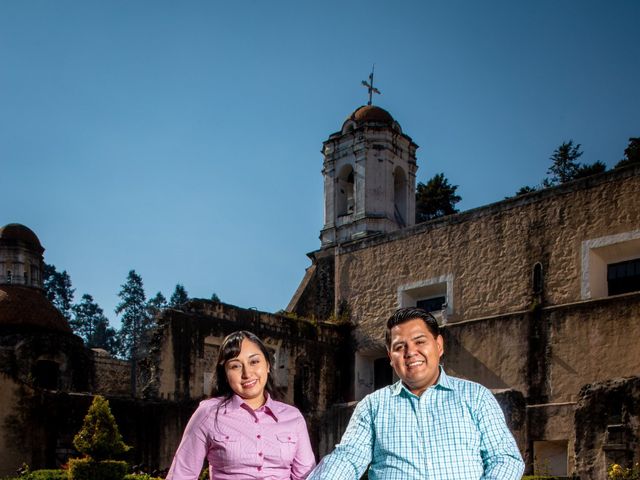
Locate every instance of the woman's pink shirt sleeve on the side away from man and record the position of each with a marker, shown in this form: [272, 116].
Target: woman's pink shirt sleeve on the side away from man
[188, 460]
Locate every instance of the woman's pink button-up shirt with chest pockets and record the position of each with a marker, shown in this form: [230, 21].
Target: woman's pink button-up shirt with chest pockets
[271, 442]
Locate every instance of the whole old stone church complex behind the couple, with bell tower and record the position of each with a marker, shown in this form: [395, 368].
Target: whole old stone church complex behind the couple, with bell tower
[539, 296]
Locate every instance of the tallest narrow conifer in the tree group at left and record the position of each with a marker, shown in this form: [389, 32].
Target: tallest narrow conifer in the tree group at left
[135, 320]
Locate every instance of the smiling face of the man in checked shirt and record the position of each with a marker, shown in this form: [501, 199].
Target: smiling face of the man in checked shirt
[415, 355]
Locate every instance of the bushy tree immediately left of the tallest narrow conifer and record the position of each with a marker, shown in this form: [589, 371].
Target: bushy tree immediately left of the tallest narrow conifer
[90, 324]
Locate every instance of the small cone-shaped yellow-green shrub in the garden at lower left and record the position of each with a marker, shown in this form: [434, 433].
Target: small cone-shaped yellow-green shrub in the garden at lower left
[99, 438]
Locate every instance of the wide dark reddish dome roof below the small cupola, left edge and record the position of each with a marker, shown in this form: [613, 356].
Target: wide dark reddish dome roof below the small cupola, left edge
[28, 307]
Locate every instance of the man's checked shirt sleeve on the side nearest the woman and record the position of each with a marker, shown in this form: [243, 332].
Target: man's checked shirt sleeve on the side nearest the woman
[353, 454]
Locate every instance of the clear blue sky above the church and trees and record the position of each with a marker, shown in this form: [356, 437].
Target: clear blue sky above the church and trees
[182, 139]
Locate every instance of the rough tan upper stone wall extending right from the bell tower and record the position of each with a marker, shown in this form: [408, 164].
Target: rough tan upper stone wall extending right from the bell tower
[489, 252]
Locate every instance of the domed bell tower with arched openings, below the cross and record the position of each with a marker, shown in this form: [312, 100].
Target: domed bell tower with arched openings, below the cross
[369, 175]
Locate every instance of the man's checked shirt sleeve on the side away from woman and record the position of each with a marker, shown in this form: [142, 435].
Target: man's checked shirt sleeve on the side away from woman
[500, 454]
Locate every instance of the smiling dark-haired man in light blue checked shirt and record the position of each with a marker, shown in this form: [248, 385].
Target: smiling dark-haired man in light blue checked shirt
[427, 425]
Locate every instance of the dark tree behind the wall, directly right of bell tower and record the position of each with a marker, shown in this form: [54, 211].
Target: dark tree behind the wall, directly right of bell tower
[436, 198]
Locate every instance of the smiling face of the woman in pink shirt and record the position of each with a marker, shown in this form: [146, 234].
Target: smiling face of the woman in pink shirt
[247, 374]
